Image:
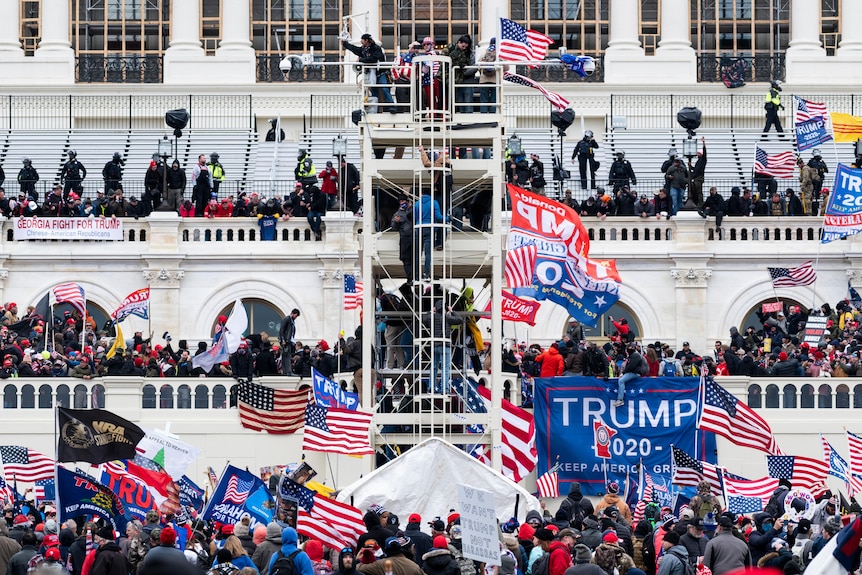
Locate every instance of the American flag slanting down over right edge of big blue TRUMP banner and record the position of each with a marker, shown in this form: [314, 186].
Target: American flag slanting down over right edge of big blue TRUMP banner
[732, 419]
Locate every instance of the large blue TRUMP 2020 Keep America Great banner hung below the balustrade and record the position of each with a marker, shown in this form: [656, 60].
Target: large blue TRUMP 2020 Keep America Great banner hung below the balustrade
[597, 443]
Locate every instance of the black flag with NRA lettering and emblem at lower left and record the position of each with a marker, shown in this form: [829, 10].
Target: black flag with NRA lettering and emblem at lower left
[96, 436]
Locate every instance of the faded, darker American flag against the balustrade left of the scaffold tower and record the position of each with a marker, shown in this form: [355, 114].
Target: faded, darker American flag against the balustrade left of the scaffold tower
[262, 408]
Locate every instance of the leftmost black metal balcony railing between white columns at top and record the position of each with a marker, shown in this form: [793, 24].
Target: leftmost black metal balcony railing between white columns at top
[116, 68]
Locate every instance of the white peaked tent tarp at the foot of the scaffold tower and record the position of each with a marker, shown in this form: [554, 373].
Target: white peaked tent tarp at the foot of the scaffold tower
[425, 480]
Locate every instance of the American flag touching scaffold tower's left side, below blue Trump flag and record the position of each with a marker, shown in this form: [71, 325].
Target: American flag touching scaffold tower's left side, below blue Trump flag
[334, 430]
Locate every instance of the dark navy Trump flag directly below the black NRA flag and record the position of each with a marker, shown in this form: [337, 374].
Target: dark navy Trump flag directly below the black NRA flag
[78, 494]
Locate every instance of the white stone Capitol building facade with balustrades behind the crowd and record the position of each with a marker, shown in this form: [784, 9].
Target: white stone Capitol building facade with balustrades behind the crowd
[98, 76]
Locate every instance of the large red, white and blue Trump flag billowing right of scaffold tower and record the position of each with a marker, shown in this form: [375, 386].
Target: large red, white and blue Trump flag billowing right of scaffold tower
[563, 271]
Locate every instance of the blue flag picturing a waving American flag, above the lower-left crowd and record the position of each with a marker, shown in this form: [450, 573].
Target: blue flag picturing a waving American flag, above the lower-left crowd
[237, 493]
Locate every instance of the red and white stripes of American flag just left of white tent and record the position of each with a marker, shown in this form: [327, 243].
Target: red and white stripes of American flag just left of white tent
[334, 523]
